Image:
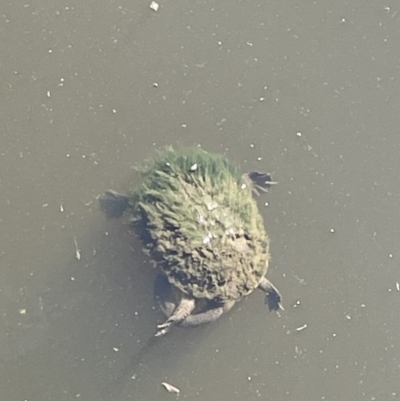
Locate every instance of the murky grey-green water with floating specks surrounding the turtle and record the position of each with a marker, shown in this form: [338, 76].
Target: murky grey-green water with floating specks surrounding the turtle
[307, 91]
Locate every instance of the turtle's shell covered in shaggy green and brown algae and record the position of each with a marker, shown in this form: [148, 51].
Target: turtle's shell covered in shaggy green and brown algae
[200, 224]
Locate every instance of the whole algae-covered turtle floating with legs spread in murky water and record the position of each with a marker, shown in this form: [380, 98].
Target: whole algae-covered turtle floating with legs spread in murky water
[198, 220]
